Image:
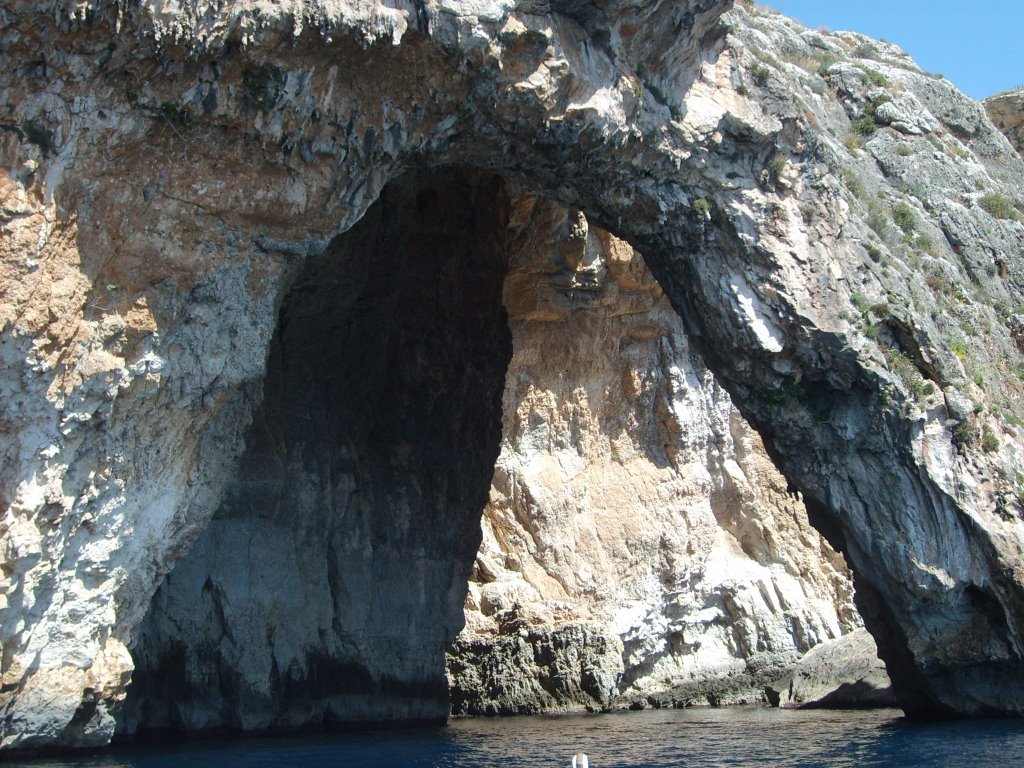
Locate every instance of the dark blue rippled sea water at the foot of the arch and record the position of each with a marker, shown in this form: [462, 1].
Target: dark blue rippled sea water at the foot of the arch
[706, 739]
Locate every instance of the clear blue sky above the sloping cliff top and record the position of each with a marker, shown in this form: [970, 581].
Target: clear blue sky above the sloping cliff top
[976, 45]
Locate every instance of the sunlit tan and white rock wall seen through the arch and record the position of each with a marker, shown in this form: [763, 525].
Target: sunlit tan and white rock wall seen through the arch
[639, 547]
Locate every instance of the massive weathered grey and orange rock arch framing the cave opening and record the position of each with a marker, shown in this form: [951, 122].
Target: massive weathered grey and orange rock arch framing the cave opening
[836, 228]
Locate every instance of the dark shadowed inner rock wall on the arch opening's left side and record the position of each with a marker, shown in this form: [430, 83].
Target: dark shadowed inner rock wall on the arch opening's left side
[332, 578]
